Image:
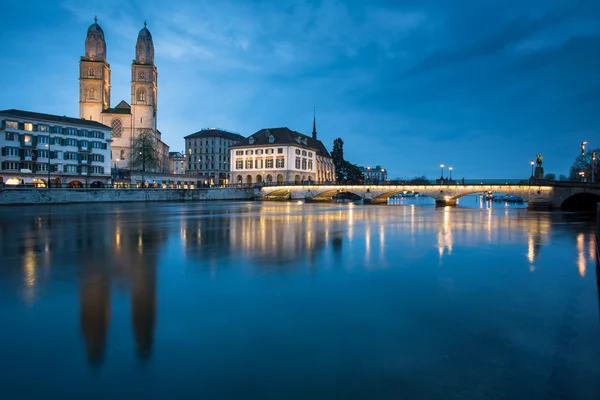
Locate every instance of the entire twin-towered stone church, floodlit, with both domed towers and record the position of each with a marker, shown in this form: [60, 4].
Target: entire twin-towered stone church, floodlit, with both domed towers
[127, 121]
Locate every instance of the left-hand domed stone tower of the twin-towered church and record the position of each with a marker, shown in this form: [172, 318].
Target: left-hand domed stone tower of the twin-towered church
[94, 75]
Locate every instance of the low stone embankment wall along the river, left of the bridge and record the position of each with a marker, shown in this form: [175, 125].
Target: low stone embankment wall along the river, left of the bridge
[64, 196]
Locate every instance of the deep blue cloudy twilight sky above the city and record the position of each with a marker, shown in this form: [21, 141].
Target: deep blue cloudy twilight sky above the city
[480, 85]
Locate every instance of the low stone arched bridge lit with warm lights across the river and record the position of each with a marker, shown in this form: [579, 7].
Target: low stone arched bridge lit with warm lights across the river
[538, 194]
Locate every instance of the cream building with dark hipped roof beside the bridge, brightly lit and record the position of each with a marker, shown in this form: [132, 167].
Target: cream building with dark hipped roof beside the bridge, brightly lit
[281, 156]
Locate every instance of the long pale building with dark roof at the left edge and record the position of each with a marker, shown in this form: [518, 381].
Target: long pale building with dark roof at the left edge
[67, 152]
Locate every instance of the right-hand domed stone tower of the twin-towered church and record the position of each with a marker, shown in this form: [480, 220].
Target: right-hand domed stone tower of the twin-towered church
[144, 83]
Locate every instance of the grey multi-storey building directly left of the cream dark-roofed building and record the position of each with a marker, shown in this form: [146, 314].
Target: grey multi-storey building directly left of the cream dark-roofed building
[207, 153]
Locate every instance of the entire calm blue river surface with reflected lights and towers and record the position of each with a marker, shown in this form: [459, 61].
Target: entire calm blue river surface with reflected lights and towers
[287, 300]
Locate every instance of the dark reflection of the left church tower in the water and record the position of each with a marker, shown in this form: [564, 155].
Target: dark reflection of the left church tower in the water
[95, 314]
